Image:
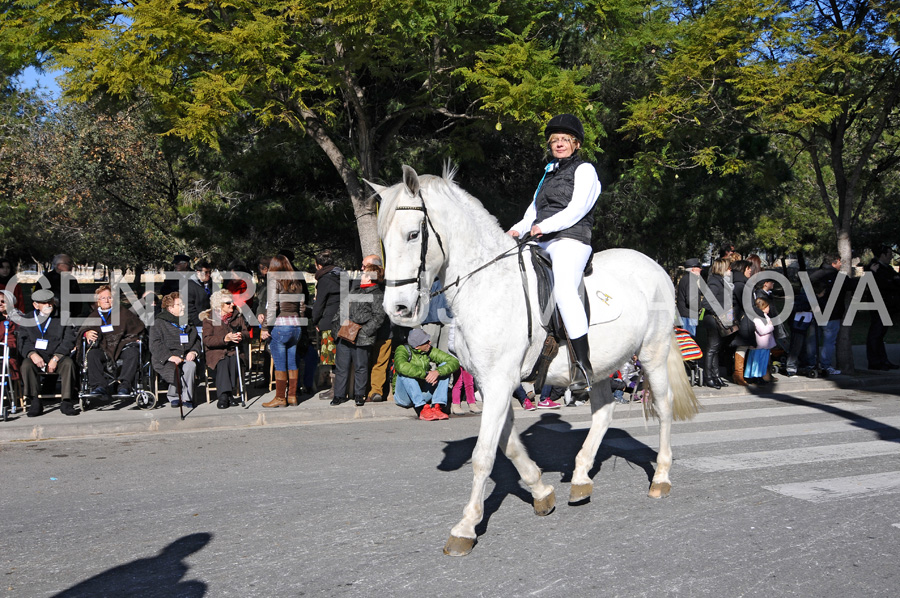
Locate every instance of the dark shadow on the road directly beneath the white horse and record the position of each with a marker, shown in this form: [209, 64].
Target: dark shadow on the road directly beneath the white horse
[553, 444]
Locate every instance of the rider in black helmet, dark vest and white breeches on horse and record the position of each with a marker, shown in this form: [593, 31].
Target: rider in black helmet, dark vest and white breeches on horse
[559, 218]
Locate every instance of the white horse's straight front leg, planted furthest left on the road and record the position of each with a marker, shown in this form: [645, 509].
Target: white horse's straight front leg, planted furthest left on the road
[496, 405]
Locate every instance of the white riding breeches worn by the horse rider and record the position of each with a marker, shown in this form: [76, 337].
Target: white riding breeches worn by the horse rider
[569, 258]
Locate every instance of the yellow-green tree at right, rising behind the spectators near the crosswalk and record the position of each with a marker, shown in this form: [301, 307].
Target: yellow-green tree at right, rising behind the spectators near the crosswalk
[823, 77]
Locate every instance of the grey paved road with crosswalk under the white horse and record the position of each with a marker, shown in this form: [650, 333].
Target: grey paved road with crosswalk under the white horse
[774, 495]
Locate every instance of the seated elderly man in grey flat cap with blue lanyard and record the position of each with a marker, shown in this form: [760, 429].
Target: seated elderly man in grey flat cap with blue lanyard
[46, 345]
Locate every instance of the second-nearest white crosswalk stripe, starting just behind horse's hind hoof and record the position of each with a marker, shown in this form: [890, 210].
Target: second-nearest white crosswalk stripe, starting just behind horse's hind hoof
[794, 456]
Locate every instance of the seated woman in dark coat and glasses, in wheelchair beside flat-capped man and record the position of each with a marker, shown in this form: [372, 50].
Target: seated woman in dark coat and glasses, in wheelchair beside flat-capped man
[115, 335]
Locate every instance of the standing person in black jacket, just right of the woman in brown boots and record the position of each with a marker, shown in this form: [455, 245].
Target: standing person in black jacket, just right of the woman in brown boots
[327, 303]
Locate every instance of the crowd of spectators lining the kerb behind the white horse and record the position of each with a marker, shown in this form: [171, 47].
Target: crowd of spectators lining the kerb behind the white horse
[341, 346]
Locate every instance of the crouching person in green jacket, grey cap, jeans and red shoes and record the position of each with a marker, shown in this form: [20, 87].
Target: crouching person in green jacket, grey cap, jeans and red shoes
[422, 374]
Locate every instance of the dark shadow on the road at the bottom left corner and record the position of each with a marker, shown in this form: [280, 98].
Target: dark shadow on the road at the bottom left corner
[160, 575]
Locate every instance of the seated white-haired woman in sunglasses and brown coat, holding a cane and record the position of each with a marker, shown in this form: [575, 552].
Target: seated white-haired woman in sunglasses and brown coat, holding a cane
[224, 329]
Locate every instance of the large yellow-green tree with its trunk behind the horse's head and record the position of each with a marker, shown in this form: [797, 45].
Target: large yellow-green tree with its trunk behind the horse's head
[350, 74]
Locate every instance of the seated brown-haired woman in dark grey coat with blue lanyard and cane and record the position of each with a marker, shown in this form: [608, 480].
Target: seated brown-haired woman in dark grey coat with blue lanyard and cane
[173, 342]
